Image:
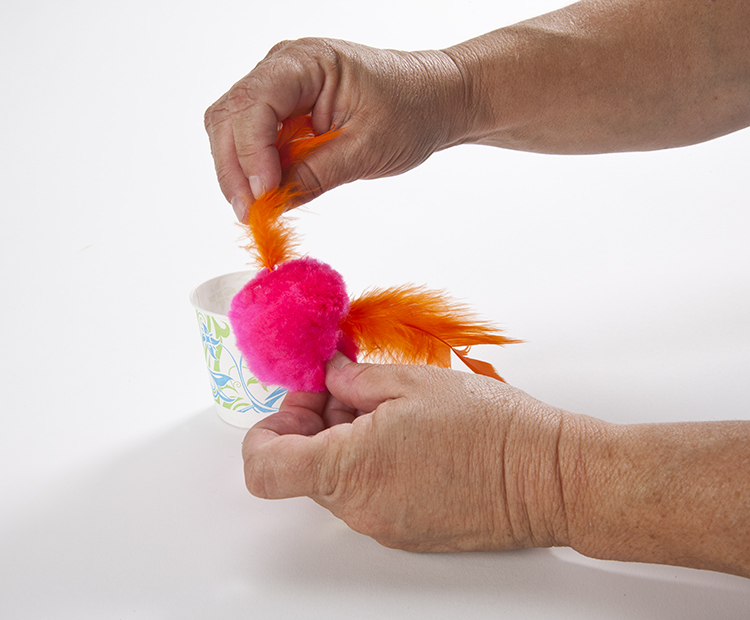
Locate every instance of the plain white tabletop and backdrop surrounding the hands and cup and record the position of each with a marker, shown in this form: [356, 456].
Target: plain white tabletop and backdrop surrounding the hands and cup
[122, 494]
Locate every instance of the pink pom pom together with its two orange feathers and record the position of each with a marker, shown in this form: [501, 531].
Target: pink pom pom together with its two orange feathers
[292, 318]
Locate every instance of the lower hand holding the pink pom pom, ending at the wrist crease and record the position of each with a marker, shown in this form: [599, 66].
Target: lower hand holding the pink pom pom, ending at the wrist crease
[419, 458]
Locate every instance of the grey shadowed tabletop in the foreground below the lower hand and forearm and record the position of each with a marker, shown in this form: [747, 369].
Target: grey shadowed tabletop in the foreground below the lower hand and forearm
[167, 530]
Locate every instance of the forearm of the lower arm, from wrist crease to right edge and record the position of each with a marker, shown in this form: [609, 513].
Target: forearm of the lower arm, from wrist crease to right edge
[660, 493]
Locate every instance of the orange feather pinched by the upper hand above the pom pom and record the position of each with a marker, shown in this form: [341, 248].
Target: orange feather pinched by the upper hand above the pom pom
[272, 241]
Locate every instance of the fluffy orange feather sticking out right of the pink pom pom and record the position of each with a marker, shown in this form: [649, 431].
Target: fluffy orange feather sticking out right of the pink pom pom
[415, 325]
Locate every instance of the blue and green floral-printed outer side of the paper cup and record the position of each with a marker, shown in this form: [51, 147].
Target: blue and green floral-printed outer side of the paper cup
[232, 384]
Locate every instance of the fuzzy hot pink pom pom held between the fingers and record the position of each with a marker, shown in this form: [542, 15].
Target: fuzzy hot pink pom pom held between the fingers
[286, 323]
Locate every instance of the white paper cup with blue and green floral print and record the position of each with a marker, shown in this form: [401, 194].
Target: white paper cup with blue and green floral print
[239, 397]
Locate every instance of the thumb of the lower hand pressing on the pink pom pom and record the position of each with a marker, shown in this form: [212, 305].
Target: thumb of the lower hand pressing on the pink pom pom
[364, 387]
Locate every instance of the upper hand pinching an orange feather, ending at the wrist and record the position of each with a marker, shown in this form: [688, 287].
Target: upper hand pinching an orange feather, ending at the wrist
[396, 108]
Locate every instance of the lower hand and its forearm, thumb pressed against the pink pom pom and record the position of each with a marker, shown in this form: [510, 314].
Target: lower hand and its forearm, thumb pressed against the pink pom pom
[426, 459]
